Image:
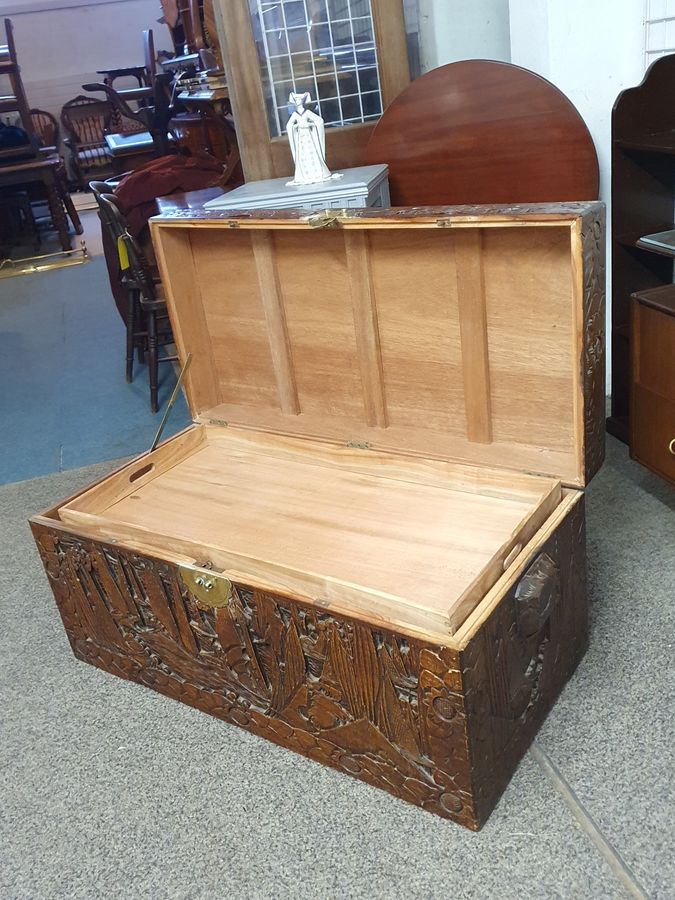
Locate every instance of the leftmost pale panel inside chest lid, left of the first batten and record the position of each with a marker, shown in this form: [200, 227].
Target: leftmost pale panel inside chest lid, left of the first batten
[235, 317]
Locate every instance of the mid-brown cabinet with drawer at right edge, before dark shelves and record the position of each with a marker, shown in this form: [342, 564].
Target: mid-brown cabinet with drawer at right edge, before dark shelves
[652, 420]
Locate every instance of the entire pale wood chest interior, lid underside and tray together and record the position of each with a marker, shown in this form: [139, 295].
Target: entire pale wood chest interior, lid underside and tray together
[387, 413]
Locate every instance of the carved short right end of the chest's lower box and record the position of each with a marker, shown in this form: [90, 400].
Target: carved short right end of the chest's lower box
[517, 664]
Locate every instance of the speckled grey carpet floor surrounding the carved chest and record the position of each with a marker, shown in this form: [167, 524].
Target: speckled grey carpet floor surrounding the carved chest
[109, 790]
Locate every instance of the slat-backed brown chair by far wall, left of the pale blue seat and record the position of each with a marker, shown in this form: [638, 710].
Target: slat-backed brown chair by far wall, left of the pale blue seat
[86, 121]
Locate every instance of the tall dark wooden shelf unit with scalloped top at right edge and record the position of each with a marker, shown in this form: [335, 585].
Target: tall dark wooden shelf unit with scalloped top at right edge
[643, 201]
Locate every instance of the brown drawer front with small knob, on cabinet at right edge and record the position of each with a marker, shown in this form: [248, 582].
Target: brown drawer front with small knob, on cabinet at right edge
[653, 432]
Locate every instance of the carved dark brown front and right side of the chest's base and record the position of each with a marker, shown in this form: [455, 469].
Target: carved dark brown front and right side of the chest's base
[416, 720]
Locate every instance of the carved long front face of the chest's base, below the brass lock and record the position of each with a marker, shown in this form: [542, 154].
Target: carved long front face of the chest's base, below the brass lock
[381, 707]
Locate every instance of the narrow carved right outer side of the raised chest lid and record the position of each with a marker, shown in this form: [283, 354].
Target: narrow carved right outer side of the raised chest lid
[593, 362]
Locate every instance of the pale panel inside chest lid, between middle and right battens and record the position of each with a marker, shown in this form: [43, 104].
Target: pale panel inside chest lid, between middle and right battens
[415, 287]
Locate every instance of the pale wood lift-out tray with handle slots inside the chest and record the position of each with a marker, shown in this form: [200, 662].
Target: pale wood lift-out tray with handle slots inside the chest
[426, 539]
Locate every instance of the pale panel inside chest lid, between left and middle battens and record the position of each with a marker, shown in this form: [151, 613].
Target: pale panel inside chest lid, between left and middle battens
[320, 321]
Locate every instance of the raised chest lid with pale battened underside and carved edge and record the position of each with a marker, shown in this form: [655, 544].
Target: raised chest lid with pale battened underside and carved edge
[466, 333]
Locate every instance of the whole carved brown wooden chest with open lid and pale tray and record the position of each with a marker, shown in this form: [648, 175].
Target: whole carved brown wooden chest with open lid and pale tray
[369, 547]
